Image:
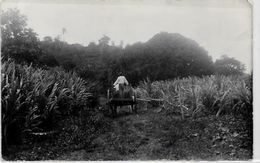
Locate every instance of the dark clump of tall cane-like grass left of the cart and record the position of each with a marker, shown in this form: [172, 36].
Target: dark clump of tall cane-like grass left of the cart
[33, 99]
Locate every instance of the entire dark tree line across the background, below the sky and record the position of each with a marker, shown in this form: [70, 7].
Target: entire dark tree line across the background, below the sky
[164, 56]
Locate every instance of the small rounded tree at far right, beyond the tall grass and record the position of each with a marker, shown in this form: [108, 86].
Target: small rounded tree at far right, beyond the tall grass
[229, 66]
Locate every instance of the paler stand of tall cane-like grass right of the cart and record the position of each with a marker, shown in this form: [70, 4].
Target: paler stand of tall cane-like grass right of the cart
[210, 94]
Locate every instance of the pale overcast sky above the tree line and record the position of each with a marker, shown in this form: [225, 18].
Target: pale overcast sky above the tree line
[219, 26]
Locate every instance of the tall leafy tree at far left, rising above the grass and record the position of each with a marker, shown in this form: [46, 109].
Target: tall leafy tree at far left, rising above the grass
[18, 41]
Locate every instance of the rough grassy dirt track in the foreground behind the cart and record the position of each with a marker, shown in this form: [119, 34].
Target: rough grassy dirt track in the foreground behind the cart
[150, 135]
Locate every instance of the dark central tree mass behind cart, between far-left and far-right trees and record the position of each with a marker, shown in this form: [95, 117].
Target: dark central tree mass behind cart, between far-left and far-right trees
[164, 56]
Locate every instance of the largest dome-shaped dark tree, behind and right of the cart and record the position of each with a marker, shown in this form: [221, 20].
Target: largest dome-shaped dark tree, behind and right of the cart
[166, 56]
